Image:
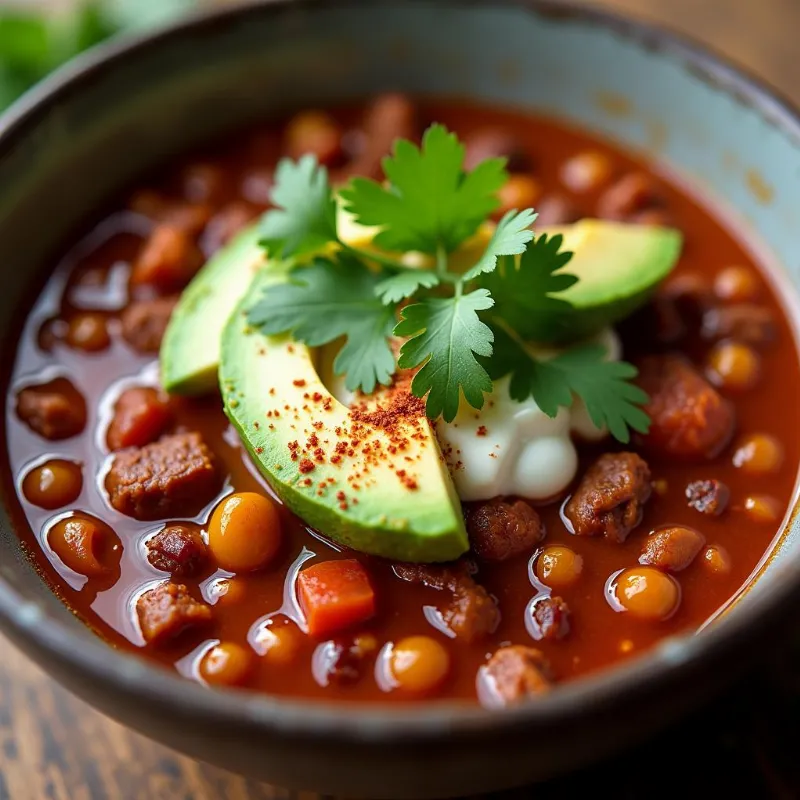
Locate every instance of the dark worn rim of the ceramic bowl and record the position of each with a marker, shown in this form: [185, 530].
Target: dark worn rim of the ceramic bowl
[675, 660]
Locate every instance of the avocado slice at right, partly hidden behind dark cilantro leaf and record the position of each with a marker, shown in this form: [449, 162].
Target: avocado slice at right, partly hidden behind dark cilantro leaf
[620, 265]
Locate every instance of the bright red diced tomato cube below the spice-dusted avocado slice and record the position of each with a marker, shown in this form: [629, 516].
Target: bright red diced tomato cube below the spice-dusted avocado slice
[335, 595]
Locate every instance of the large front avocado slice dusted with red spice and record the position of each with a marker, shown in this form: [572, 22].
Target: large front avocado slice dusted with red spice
[388, 491]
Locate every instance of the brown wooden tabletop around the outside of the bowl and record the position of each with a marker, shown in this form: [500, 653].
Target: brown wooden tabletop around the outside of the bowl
[54, 747]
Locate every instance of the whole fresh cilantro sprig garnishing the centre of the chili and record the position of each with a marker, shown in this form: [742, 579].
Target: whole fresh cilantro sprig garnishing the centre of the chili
[463, 328]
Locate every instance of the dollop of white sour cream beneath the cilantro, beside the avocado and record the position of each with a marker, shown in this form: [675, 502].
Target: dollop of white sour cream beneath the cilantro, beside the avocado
[512, 448]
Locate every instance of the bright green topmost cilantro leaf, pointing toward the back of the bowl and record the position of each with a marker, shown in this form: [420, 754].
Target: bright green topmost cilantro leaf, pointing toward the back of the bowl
[431, 203]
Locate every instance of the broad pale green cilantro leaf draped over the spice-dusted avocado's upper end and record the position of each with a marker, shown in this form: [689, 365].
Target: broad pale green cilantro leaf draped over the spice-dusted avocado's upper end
[329, 299]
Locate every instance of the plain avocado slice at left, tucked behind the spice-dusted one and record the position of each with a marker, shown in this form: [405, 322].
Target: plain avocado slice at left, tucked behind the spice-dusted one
[190, 350]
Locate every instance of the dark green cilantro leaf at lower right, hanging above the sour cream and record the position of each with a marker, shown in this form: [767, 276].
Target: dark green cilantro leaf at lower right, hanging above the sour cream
[604, 386]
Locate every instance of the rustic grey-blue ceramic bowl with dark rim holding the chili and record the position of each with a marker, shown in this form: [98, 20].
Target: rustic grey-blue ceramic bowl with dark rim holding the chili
[103, 121]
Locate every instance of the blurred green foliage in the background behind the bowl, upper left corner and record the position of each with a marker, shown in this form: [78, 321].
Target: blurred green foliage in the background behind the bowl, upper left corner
[33, 43]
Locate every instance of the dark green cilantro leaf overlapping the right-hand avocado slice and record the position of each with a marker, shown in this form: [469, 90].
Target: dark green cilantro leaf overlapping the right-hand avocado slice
[523, 291]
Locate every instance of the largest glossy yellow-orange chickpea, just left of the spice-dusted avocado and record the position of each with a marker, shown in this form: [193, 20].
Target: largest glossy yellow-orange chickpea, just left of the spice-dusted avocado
[244, 533]
